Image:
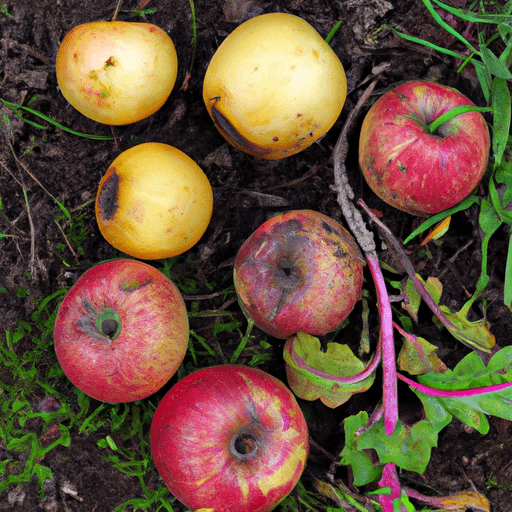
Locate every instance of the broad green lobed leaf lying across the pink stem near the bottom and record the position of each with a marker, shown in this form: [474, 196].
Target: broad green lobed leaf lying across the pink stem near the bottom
[408, 446]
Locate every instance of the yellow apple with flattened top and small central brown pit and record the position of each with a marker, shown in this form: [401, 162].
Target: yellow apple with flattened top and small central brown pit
[116, 72]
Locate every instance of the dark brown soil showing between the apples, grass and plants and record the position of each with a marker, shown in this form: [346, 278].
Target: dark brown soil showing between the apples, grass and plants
[247, 191]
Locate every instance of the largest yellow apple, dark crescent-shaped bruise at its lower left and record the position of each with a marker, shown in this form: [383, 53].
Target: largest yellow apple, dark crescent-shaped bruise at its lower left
[274, 86]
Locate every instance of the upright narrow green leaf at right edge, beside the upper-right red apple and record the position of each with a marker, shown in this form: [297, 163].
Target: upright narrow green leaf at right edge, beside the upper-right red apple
[501, 121]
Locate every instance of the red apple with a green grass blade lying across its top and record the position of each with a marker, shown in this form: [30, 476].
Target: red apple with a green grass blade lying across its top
[411, 169]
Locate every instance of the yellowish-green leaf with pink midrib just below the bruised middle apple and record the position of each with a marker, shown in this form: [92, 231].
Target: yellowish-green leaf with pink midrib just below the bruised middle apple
[313, 374]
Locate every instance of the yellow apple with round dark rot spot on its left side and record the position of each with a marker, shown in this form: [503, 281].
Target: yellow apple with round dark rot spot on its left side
[154, 202]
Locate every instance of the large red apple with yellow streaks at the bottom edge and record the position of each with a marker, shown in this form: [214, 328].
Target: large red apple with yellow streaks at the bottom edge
[229, 438]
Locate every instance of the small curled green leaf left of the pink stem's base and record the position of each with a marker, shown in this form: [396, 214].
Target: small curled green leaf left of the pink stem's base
[363, 469]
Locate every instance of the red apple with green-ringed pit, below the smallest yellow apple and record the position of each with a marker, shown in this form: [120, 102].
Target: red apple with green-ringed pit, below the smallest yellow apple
[121, 331]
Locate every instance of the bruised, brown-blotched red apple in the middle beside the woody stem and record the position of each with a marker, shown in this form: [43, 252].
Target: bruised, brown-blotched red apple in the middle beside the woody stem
[300, 271]
